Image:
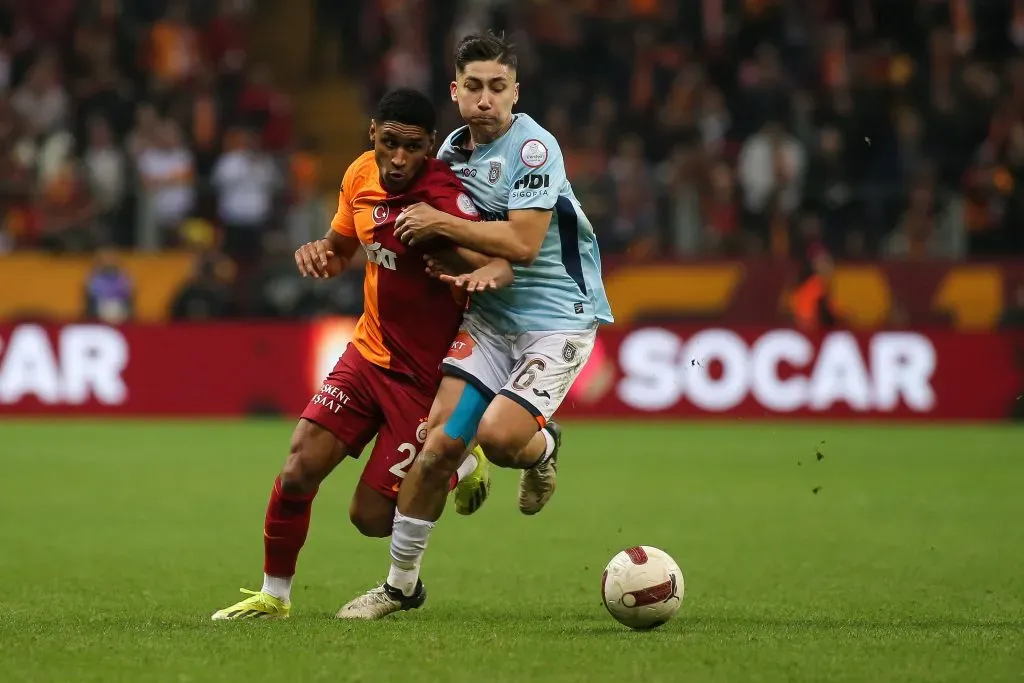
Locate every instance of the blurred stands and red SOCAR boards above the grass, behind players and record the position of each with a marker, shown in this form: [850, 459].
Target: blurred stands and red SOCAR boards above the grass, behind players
[843, 170]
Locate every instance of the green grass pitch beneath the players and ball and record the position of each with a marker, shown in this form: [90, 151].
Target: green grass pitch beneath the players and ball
[118, 540]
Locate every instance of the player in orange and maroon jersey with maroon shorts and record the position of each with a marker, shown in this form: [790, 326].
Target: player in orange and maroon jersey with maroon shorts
[386, 382]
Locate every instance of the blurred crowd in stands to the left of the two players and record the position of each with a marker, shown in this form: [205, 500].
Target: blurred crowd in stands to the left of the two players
[144, 124]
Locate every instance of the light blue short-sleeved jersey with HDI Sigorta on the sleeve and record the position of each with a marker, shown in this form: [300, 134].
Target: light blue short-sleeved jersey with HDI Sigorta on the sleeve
[563, 288]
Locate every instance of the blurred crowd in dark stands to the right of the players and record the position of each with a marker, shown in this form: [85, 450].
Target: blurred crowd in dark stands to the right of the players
[888, 129]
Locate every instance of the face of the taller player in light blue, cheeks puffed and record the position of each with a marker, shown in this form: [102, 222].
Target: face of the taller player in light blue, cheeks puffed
[486, 93]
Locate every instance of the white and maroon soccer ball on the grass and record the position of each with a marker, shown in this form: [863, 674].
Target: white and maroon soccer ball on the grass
[643, 587]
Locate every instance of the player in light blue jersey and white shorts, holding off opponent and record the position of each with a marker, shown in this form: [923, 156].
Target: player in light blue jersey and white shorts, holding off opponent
[520, 349]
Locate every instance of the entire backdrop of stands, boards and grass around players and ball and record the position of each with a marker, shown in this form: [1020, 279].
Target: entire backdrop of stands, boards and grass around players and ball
[812, 216]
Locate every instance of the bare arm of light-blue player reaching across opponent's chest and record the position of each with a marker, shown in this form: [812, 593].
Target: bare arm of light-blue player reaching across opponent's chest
[517, 240]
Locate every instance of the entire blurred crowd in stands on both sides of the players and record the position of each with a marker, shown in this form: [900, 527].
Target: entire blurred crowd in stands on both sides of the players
[782, 129]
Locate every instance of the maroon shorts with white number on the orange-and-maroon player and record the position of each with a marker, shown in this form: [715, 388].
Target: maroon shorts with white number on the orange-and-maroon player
[359, 401]
